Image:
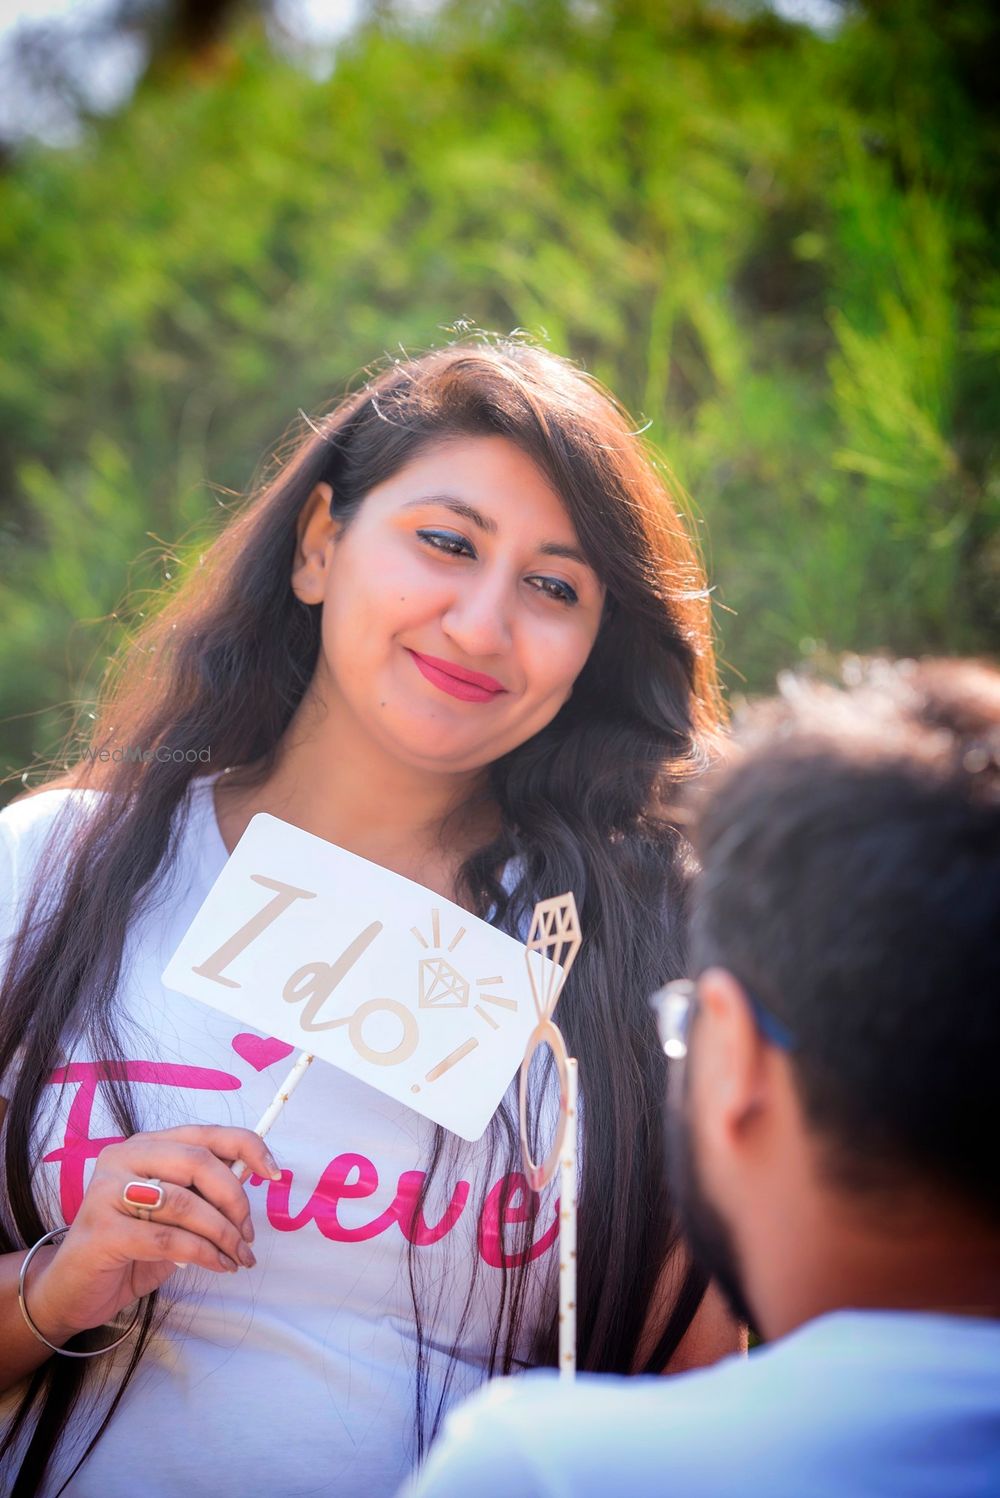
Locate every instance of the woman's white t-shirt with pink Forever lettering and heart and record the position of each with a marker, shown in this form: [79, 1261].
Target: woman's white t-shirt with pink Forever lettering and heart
[299, 1376]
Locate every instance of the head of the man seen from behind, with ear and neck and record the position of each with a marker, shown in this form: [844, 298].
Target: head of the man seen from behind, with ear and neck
[850, 891]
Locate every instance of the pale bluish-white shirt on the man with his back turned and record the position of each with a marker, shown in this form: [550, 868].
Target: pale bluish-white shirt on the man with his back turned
[851, 1406]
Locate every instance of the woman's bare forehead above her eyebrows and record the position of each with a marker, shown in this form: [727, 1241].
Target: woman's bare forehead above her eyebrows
[493, 474]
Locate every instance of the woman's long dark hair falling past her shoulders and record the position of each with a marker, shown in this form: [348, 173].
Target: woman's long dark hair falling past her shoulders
[585, 805]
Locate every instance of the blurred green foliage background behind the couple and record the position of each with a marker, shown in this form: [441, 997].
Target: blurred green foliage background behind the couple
[769, 228]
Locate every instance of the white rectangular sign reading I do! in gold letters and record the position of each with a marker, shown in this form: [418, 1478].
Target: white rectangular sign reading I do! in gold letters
[365, 968]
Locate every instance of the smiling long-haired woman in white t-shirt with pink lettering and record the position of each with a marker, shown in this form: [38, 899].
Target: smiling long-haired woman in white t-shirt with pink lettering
[463, 634]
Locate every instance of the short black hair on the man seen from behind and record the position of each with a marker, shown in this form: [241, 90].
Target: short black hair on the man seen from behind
[851, 877]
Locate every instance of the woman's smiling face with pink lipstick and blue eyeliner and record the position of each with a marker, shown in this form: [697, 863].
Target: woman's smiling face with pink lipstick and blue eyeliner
[459, 609]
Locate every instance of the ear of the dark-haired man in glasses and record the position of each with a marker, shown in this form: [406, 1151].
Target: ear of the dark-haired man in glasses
[730, 1058]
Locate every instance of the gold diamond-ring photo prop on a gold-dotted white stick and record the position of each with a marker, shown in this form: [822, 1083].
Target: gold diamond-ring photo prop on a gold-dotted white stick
[550, 953]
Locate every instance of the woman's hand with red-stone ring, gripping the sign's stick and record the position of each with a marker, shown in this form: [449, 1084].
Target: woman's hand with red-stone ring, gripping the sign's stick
[110, 1256]
